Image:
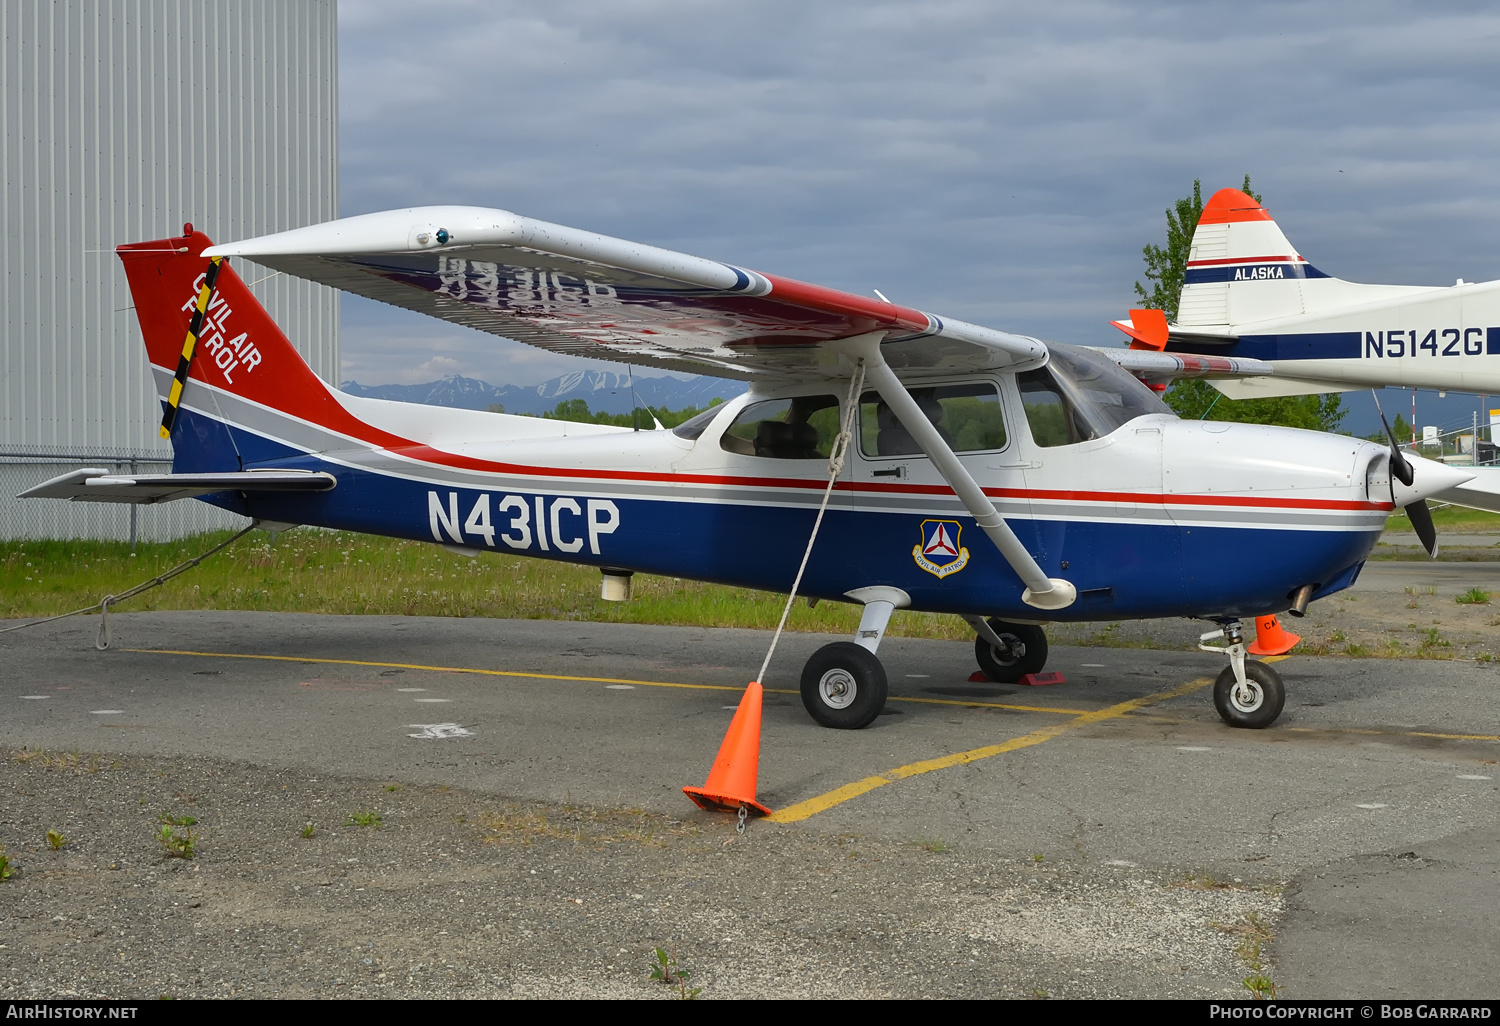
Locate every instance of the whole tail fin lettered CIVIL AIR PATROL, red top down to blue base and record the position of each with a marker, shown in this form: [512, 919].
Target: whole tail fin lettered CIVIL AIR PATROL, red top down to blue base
[206, 335]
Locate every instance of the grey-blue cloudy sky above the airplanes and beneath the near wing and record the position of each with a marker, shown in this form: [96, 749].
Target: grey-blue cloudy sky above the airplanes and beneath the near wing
[1000, 163]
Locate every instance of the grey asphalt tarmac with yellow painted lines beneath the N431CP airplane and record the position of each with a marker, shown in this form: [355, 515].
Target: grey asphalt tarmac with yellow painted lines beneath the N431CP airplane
[1363, 826]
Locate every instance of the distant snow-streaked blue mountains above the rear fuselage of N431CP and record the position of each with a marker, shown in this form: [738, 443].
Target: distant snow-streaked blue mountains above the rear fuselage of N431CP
[604, 391]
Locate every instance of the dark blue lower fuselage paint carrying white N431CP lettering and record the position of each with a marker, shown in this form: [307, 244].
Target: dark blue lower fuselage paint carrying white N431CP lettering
[1123, 569]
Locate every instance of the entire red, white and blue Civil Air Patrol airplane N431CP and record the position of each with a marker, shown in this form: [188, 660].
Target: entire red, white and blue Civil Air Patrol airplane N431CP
[992, 476]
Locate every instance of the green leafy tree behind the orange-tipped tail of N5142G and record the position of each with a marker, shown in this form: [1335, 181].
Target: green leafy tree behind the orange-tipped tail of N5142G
[1196, 400]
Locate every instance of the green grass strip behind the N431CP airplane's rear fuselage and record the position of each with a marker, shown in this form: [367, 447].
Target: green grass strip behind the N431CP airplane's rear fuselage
[335, 572]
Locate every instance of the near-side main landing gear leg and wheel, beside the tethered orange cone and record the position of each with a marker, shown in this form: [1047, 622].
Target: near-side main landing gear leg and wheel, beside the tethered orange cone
[844, 685]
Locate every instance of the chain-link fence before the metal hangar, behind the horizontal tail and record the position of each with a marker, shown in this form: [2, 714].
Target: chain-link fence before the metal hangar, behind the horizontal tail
[56, 520]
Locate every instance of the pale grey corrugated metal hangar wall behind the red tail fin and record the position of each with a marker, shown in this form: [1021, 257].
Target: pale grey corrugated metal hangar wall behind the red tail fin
[124, 119]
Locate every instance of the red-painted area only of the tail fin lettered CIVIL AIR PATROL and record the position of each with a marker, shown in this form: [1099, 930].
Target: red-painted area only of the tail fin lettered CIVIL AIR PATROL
[239, 347]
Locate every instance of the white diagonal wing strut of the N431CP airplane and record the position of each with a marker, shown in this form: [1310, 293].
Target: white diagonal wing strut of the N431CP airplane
[1042, 592]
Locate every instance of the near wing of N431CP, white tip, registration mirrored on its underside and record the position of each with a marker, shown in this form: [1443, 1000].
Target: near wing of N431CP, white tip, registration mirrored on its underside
[586, 295]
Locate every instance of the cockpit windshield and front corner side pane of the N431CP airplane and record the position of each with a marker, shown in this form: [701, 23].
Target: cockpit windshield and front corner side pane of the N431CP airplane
[1082, 395]
